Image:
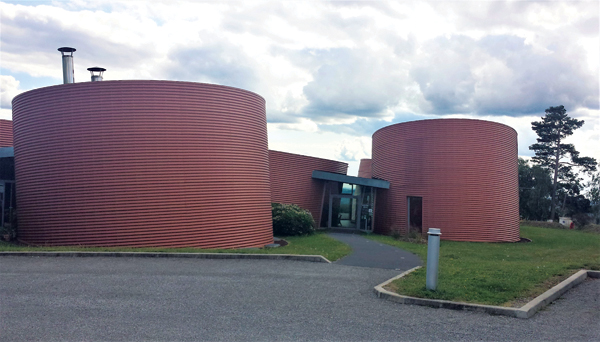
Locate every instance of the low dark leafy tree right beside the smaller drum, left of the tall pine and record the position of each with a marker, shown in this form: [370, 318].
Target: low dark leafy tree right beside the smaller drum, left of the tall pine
[535, 187]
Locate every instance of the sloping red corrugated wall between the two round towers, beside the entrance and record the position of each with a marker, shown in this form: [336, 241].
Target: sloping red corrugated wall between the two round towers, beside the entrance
[292, 182]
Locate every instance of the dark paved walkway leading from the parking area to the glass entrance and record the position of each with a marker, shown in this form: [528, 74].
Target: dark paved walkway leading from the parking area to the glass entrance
[368, 253]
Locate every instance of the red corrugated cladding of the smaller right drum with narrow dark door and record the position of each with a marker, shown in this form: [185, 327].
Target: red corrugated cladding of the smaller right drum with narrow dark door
[464, 170]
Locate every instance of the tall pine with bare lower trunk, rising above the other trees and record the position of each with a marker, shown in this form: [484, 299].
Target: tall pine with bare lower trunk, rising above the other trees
[551, 151]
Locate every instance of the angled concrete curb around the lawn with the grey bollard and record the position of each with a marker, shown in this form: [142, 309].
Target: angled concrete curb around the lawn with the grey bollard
[525, 311]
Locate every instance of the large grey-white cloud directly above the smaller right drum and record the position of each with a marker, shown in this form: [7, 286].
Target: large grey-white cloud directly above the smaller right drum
[500, 75]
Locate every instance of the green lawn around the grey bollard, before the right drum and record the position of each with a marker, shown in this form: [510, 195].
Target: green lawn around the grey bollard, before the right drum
[501, 273]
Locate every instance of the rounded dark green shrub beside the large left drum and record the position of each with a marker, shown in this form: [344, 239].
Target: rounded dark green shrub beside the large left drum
[291, 220]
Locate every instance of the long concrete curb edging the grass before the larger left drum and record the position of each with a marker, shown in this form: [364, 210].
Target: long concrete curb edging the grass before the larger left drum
[310, 258]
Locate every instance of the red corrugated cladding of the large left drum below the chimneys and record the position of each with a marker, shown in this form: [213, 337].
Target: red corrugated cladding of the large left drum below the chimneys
[142, 163]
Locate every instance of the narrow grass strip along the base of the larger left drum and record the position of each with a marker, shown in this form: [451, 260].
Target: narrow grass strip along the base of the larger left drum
[316, 244]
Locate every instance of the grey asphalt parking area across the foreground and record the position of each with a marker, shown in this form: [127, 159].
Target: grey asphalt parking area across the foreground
[137, 299]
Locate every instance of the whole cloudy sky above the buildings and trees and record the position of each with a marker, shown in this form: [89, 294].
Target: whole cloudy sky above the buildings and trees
[332, 73]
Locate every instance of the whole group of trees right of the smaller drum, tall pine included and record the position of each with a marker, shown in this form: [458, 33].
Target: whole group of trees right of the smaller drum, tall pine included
[551, 184]
